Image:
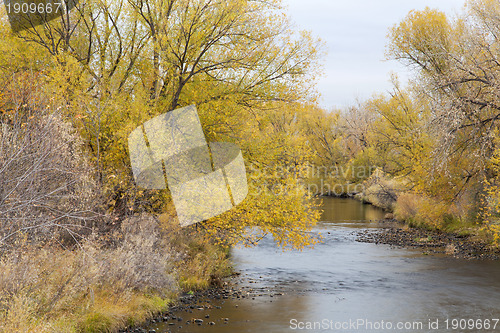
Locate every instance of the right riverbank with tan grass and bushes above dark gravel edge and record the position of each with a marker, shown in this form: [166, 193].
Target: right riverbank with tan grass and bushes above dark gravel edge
[410, 223]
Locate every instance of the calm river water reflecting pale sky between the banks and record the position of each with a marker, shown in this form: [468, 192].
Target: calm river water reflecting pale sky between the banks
[346, 286]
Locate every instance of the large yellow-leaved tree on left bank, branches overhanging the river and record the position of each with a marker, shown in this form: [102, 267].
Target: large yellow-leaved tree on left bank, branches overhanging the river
[117, 64]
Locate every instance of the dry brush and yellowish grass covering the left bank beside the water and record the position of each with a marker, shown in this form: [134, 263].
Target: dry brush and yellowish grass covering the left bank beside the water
[102, 287]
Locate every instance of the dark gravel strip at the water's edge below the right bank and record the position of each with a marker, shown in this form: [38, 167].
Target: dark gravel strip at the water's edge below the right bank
[395, 234]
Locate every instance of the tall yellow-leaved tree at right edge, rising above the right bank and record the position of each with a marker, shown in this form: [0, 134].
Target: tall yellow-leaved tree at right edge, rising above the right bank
[456, 74]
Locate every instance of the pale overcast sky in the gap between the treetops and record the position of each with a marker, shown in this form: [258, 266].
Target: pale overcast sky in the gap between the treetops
[355, 34]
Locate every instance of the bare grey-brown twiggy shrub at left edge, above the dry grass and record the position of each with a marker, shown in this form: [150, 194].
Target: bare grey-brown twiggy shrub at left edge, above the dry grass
[46, 184]
